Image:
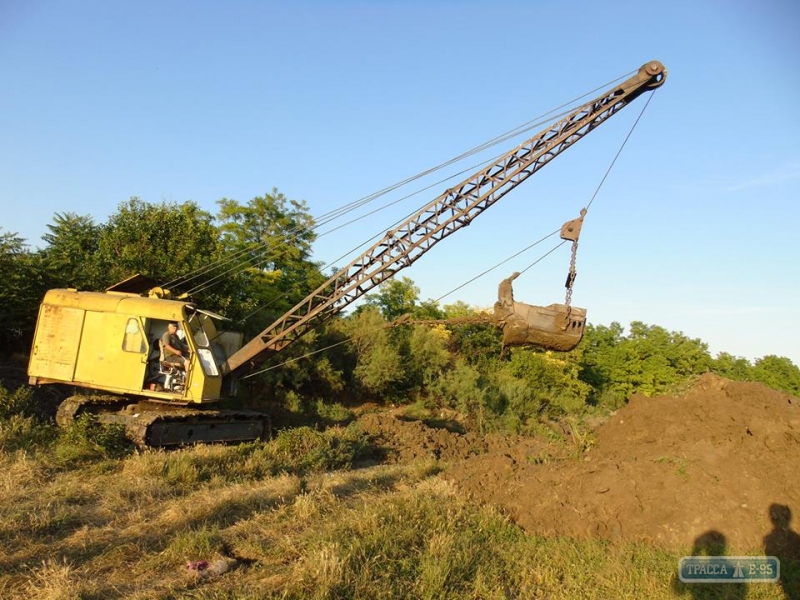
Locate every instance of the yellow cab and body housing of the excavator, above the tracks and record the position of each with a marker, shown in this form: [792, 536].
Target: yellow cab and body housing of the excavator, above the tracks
[109, 341]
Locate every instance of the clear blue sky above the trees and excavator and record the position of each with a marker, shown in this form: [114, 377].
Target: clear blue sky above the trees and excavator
[329, 101]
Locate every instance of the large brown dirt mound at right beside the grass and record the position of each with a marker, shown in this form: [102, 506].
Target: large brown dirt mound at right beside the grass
[664, 469]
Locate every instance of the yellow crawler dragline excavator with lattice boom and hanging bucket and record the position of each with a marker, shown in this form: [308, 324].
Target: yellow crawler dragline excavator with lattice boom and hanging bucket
[109, 342]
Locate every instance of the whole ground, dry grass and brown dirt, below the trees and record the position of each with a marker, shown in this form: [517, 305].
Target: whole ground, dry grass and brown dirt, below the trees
[433, 510]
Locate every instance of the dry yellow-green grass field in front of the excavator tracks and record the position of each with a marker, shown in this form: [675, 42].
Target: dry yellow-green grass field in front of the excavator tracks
[293, 518]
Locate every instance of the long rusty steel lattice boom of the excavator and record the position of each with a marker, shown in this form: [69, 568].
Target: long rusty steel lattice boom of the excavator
[454, 209]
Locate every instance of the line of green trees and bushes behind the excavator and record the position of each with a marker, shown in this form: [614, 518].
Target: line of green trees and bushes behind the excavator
[252, 262]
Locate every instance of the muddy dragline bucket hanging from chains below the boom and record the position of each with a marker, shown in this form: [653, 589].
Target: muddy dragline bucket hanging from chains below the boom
[554, 327]
